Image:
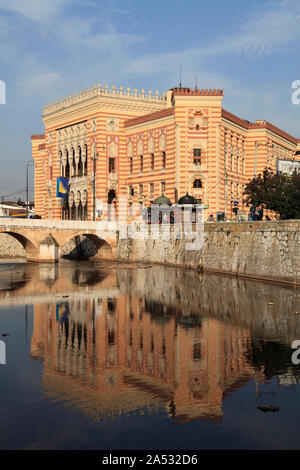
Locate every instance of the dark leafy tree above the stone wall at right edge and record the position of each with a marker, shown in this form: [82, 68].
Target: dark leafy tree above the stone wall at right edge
[276, 192]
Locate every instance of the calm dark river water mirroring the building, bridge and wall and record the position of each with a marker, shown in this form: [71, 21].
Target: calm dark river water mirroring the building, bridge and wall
[124, 356]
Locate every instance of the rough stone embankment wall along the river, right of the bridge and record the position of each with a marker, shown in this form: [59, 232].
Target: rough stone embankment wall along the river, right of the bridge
[261, 250]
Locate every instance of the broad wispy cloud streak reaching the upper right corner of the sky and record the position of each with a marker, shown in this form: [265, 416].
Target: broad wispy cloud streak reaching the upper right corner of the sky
[266, 31]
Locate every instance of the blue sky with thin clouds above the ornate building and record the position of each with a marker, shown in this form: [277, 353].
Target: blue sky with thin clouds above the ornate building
[53, 48]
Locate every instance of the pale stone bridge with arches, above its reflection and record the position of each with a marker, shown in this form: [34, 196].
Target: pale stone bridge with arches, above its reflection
[43, 240]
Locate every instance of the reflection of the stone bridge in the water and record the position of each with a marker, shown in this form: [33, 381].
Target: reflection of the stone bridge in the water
[31, 283]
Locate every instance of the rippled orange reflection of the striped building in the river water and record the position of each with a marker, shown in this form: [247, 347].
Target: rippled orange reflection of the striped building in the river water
[115, 355]
